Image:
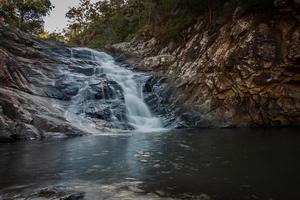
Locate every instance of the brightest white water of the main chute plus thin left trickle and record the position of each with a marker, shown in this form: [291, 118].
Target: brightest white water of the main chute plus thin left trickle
[138, 114]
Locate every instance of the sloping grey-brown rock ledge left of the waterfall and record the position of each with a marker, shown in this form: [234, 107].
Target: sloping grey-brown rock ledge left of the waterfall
[26, 73]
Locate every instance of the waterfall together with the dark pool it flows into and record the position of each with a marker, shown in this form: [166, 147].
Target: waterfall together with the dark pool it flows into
[133, 150]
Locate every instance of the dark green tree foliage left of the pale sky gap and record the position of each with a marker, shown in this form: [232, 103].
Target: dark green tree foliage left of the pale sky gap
[25, 14]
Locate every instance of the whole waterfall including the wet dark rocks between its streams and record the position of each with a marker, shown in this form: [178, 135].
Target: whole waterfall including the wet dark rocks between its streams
[108, 95]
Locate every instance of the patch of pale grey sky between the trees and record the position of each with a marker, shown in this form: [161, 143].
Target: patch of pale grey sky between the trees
[57, 19]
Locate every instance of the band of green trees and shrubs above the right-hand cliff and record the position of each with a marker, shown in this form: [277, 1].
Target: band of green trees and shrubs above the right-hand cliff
[112, 21]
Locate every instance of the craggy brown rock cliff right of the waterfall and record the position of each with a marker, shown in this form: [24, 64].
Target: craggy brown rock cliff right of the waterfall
[247, 73]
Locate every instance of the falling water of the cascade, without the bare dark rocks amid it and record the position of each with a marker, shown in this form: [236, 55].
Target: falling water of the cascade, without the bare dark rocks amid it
[120, 80]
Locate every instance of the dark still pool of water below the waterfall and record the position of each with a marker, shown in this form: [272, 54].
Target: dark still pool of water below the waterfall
[224, 164]
